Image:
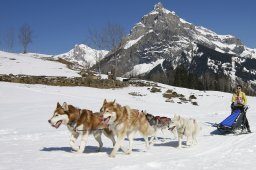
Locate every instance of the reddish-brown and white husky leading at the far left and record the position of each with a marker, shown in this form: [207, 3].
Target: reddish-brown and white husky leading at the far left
[73, 118]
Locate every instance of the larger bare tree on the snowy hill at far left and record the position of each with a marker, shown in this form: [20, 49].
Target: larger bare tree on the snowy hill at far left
[25, 36]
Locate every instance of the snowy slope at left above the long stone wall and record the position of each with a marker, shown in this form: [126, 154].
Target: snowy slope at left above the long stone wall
[32, 64]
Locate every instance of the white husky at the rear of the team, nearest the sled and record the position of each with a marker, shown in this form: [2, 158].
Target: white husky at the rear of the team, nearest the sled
[185, 127]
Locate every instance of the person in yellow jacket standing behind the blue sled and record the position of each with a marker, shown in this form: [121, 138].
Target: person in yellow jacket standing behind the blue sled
[239, 100]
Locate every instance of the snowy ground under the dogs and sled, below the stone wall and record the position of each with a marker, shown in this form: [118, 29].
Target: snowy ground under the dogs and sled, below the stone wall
[28, 142]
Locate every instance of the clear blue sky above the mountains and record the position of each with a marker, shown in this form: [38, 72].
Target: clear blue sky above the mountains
[58, 25]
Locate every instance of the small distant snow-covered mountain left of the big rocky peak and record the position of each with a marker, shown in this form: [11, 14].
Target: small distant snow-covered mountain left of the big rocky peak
[83, 55]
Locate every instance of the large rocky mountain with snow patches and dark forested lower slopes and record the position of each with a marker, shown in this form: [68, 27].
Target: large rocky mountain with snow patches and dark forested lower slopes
[164, 47]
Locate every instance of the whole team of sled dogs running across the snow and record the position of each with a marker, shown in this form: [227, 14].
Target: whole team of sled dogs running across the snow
[117, 122]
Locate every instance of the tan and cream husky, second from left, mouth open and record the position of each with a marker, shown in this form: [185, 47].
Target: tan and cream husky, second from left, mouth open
[125, 121]
